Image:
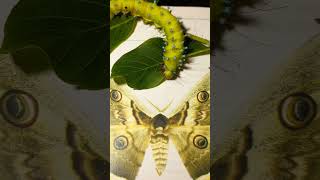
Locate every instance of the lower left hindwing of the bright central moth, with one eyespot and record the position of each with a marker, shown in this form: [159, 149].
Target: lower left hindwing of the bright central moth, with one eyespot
[128, 145]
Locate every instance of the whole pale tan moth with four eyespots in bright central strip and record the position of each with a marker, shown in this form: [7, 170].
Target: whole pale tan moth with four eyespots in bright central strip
[132, 131]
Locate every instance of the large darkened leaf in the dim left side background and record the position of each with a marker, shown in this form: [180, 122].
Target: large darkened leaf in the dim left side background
[72, 36]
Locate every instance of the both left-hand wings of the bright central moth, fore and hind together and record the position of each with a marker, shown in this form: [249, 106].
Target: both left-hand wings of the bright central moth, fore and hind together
[129, 134]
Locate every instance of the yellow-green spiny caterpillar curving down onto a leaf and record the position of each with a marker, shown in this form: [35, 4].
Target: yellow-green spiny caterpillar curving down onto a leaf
[162, 18]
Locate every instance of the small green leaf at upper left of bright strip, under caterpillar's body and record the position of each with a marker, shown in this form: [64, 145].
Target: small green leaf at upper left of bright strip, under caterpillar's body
[121, 28]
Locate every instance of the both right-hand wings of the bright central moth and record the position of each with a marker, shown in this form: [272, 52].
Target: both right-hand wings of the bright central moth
[189, 129]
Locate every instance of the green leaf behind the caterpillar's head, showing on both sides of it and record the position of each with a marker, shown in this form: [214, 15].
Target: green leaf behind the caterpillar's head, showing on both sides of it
[141, 68]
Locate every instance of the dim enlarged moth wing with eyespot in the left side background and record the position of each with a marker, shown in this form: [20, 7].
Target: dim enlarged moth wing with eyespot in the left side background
[41, 136]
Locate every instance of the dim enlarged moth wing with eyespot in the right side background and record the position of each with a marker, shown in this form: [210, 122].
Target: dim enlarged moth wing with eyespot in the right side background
[278, 136]
